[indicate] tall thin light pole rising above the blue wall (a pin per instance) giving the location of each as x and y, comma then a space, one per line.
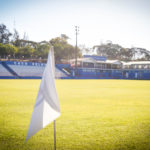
76, 49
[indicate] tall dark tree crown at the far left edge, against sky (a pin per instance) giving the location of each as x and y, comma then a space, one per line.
4, 34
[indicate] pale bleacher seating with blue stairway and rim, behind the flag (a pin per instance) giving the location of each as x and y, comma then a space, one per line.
25, 70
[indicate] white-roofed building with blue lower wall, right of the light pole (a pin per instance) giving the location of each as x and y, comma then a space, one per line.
98, 67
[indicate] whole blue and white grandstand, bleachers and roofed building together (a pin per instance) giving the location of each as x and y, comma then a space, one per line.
88, 67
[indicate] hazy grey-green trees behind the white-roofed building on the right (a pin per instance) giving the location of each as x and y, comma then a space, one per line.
115, 51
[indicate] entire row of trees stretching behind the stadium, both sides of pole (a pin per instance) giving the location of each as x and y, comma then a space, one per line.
13, 46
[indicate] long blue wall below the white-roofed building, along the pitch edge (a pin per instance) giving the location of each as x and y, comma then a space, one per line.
112, 74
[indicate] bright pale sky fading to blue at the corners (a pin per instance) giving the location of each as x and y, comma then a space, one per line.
124, 22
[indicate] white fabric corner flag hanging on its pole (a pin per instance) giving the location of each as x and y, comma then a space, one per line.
46, 108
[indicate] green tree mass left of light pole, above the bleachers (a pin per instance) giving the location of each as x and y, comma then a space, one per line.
21, 48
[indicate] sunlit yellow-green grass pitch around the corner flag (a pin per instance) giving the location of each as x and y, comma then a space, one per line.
95, 115
